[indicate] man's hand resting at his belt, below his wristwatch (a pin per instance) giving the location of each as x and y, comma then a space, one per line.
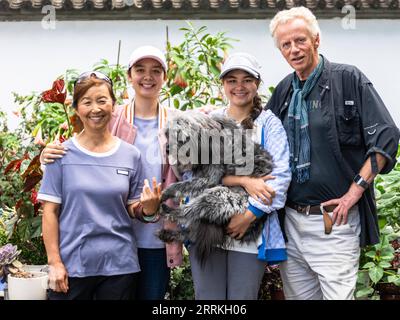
349, 199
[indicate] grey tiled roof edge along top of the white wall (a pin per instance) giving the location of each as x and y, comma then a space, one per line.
191, 9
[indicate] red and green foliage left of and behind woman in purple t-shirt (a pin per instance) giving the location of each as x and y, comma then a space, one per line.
44, 117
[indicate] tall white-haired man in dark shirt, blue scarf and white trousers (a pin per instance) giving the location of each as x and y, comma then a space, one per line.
340, 137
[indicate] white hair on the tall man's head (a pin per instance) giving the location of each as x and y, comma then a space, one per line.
285, 16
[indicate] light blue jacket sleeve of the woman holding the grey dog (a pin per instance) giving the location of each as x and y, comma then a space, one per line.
276, 143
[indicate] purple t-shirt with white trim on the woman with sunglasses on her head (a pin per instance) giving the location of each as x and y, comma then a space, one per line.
95, 229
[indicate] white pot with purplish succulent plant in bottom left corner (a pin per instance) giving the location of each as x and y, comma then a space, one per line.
21, 284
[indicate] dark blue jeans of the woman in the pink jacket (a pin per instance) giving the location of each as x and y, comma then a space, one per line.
154, 275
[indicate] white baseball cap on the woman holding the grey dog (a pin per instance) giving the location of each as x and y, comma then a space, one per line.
242, 61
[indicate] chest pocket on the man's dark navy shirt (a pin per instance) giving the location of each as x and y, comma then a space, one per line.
348, 123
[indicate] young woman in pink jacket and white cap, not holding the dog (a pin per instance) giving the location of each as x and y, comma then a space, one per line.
139, 123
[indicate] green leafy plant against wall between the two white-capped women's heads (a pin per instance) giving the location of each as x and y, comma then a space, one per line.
194, 67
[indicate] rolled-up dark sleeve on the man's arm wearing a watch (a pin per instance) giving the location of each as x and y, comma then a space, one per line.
380, 133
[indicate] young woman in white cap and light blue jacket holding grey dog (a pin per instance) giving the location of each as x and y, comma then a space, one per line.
236, 272
